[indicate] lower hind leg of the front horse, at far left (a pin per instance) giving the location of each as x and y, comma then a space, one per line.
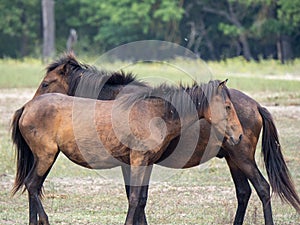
34, 183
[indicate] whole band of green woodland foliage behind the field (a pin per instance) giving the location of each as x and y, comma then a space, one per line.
103, 25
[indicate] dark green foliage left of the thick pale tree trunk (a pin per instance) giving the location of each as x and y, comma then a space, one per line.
19, 22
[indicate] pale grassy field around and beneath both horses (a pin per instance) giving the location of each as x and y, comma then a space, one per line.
204, 195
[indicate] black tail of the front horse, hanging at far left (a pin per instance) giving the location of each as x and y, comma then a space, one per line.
24, 156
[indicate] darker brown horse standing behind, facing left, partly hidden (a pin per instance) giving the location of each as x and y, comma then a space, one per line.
65, 74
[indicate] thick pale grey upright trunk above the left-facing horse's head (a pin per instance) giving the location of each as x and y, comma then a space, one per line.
48, 30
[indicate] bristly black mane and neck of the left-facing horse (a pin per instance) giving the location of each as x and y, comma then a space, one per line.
89, 78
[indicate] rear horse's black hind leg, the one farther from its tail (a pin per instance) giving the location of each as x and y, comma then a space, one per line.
243, 191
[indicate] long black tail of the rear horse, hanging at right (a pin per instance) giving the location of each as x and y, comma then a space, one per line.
277, 170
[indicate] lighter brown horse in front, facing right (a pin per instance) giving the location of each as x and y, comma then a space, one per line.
96, 134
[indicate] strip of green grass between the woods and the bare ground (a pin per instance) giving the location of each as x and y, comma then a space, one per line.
247, 76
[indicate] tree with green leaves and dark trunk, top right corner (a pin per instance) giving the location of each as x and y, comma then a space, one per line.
277, 23
